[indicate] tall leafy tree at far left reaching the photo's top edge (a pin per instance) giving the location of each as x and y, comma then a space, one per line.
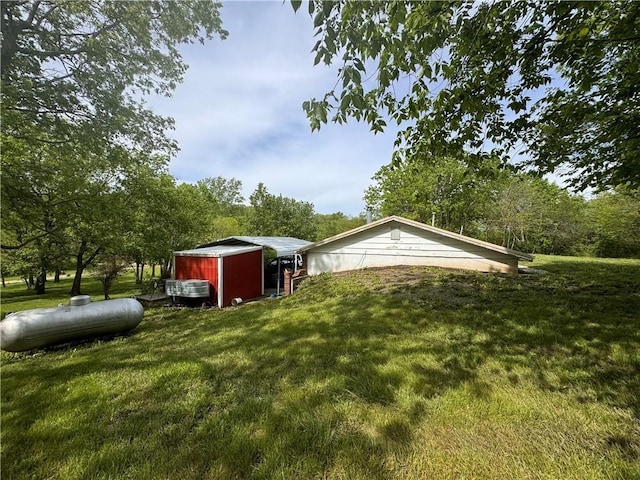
74, 123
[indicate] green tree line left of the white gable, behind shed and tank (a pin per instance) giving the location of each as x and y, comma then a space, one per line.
76, 221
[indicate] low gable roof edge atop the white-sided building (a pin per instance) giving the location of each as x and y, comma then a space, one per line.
423, 227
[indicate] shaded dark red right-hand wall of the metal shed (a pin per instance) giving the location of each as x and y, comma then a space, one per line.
242, 276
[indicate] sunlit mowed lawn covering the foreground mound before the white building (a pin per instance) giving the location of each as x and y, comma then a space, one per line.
405, 373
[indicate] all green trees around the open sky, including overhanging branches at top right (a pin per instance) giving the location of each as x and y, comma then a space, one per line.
478, 90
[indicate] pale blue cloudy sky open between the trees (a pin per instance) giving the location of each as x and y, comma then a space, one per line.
238, 114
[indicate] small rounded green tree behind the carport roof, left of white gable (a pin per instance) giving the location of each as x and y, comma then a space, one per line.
280, 216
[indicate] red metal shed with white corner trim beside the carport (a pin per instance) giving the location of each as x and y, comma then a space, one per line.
231, 271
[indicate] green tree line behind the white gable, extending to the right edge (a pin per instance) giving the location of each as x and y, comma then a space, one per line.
517, 210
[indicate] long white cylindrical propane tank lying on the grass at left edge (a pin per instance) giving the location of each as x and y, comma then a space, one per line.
29, 329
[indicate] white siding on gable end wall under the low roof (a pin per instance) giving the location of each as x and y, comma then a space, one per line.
375, 248
